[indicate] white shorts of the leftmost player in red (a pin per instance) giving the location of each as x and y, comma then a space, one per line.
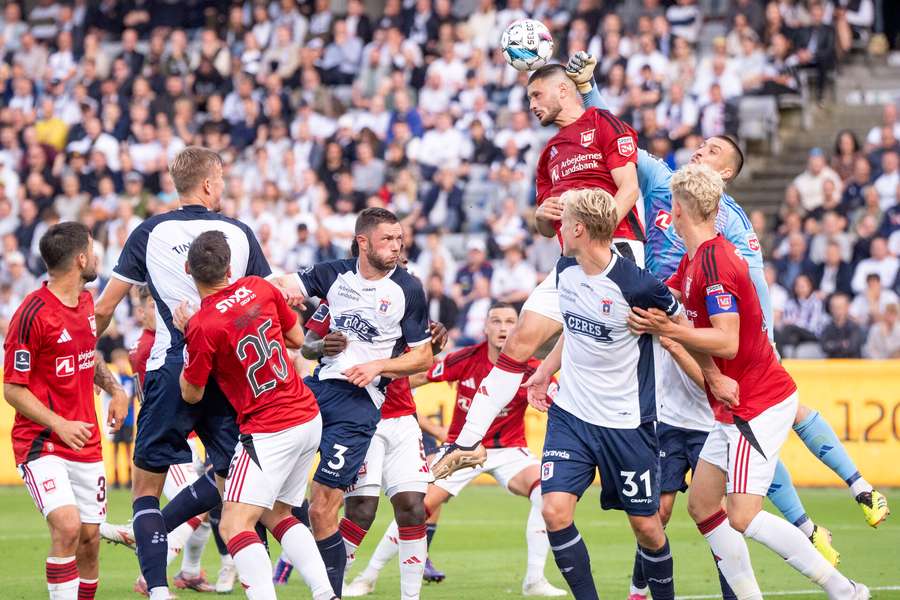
53, 482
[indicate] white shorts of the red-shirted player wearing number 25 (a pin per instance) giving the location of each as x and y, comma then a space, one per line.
270, 467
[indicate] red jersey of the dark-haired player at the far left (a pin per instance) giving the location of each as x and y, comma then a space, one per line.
49, 348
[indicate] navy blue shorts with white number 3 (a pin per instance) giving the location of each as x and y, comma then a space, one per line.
349, 419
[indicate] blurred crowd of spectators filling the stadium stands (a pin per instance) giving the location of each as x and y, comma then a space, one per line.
319, 113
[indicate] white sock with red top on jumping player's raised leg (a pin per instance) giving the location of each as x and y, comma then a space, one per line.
495, 392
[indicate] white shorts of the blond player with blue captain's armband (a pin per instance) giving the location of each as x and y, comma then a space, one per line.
747, 470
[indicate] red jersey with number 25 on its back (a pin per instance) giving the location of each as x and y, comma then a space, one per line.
237, 336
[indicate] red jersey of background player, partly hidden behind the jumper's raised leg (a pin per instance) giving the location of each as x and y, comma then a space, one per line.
468, 367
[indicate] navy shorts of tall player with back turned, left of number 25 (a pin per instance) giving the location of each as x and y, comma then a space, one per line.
165, 420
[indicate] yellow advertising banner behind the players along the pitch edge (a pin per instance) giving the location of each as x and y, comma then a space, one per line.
860, 399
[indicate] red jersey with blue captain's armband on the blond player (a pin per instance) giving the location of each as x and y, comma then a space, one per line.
717, 281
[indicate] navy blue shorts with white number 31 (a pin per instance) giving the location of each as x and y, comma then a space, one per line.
628, 460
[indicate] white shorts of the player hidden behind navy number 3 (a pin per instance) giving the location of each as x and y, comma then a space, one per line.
395, 460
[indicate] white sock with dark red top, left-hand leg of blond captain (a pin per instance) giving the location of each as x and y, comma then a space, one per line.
732, 557
